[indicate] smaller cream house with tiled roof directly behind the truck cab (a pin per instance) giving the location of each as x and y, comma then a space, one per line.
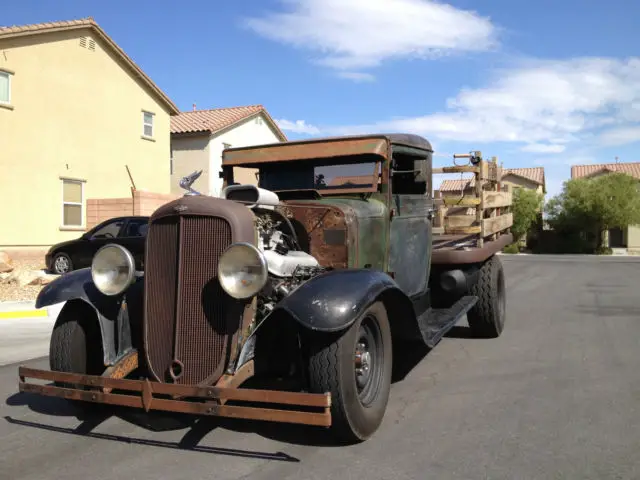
198, 138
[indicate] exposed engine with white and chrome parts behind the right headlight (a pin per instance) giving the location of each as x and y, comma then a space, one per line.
289, 266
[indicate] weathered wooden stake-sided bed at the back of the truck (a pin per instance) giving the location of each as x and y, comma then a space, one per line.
472, 225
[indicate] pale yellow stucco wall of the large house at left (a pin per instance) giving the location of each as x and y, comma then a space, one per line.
74, 113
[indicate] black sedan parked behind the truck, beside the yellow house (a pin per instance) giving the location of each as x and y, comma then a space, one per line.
130, 232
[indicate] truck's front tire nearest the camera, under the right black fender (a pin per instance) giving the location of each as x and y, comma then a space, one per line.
356, 415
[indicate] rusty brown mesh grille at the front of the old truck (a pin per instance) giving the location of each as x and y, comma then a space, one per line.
188, 324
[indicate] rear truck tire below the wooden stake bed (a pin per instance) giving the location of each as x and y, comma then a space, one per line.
487, 317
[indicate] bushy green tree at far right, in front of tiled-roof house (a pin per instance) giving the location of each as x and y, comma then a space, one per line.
596, 205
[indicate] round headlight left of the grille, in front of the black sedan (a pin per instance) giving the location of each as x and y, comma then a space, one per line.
113, 269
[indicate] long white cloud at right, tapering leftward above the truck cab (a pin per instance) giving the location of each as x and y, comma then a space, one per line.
543, 105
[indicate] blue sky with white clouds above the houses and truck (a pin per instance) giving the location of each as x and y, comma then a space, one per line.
545, 83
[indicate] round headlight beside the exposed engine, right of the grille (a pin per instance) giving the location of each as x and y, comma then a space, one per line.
242, 270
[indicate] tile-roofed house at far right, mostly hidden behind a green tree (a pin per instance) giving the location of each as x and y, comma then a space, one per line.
627, 238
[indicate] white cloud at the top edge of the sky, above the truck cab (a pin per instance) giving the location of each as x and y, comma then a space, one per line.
351, 35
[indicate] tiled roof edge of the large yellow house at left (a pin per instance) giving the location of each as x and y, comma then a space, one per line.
89, 22
